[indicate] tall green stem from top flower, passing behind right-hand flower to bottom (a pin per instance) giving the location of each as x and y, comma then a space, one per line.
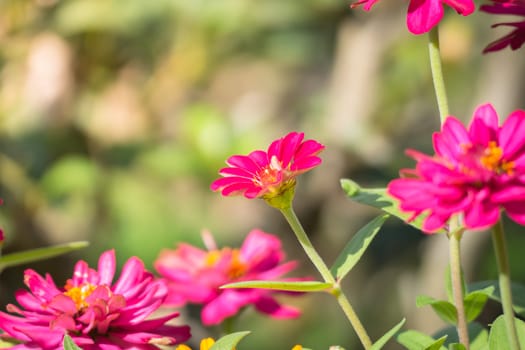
454, 234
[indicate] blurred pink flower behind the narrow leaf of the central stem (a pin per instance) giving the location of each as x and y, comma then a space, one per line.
195, 275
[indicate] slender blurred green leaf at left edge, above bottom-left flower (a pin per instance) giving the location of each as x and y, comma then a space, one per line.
28, 256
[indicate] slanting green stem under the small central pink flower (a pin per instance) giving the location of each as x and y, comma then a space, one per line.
318, 262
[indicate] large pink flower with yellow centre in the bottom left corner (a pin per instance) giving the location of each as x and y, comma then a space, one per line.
94, 312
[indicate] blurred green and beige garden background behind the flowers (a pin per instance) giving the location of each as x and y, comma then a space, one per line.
115, 116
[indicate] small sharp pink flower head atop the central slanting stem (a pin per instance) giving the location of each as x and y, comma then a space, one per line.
269, 173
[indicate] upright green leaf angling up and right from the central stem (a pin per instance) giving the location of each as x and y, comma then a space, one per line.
353, 251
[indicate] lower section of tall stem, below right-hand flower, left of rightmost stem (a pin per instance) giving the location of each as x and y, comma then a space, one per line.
457, 286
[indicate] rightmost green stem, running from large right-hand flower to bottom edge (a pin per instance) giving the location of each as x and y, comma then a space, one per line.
500, 249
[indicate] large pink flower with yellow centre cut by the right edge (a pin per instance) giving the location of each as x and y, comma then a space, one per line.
475, 172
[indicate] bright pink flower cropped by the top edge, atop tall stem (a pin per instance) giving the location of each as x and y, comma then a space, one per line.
423, 15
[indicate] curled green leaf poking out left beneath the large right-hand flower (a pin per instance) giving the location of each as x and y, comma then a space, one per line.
378, 198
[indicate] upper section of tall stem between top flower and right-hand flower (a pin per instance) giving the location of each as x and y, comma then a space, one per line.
437, 73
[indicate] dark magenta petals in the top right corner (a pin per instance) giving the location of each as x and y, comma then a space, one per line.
515, 38
